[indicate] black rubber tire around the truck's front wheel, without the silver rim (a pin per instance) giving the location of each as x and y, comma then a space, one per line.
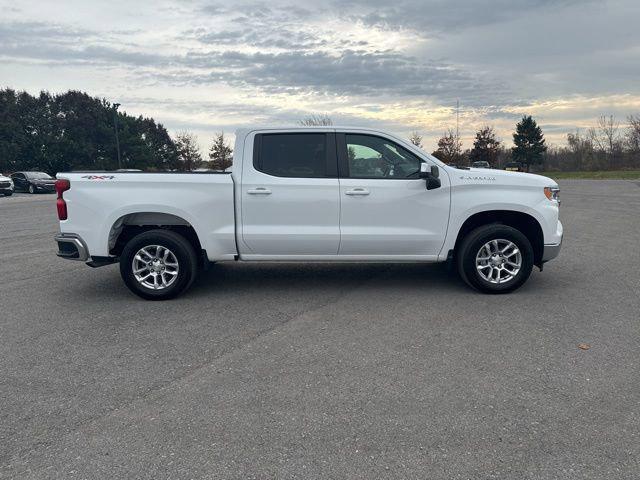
472, 244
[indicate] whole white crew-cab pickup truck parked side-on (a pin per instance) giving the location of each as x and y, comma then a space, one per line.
309, 195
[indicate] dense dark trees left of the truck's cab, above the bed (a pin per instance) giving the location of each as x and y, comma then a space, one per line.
74, 131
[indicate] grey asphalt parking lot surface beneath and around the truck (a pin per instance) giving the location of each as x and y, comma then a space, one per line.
325, 371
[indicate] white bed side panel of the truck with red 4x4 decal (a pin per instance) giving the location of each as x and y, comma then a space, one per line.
99, 204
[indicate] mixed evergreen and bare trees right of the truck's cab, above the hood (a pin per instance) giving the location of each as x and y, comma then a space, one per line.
606, 146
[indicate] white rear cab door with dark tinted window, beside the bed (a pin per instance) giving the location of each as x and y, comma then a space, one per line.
290, 195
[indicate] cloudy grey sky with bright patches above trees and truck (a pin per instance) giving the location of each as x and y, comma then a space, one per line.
206, 66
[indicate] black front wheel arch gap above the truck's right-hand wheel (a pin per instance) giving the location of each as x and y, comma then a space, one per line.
525, 223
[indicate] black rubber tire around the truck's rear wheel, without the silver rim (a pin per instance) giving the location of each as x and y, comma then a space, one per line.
180, 247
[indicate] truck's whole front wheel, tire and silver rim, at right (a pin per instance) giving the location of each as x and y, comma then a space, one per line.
482, 265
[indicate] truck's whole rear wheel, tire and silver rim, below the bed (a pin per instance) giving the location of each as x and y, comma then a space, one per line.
152, 246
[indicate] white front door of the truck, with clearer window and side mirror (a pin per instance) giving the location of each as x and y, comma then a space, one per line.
386, 210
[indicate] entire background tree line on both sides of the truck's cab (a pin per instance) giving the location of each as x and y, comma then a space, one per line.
74, 131
